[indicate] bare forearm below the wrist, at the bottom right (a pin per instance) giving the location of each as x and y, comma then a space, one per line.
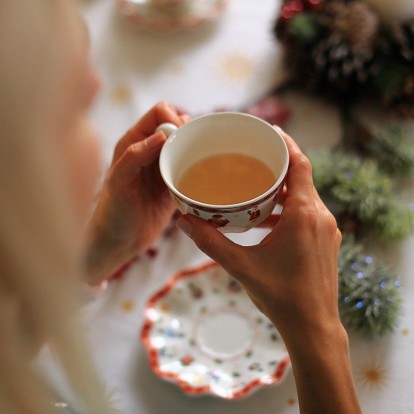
322, 372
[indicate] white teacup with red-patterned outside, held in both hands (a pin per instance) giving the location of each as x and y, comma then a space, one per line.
221, 133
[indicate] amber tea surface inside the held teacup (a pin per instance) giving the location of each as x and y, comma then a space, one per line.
226, 179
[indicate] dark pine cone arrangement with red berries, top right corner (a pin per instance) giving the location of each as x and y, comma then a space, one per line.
344, 50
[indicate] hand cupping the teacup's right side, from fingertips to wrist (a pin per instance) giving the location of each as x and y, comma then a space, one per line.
292, 275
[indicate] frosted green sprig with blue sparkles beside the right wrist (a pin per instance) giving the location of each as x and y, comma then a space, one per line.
369, 297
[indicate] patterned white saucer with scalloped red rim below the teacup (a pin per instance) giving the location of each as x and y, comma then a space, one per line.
203, 333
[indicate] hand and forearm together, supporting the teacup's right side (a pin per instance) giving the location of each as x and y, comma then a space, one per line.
292, 277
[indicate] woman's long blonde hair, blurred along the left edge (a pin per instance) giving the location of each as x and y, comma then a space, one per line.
40, 251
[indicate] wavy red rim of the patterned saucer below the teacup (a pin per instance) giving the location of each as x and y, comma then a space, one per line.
276, 377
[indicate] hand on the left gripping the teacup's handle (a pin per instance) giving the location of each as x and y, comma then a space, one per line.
134, 207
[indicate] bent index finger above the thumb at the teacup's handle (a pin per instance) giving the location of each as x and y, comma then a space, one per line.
160, 113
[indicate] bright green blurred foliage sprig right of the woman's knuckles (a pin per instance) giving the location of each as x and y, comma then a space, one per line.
356, 190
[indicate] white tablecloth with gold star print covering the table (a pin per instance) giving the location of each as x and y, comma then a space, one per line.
229, 63
